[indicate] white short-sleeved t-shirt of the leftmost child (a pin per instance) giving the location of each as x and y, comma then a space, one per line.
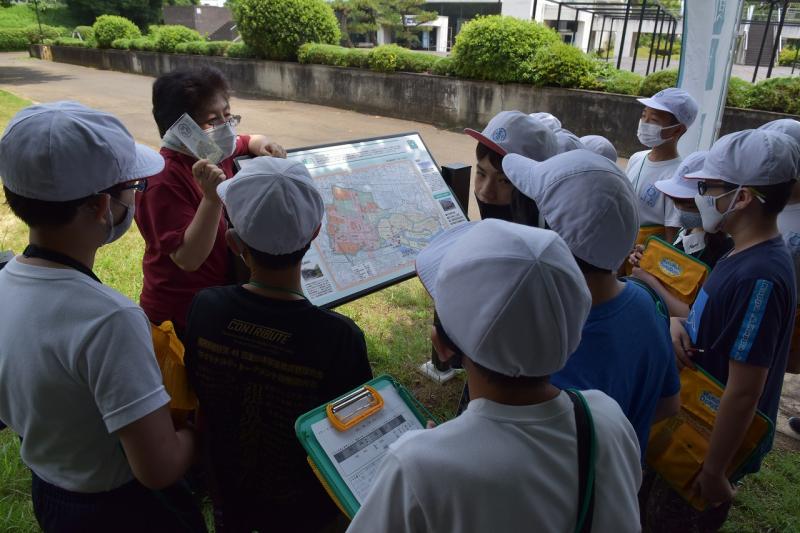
76, 365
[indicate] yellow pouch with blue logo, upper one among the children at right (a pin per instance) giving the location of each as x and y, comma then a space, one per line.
680, 273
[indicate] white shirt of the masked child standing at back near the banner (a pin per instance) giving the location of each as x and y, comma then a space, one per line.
655, 208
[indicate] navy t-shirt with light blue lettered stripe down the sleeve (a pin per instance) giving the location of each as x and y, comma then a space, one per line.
745, 312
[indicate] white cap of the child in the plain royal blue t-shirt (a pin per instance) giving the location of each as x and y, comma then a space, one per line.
586, 199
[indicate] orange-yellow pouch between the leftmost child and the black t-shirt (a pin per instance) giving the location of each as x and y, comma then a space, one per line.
169, 354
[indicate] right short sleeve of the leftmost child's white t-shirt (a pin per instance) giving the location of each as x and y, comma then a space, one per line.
120, 368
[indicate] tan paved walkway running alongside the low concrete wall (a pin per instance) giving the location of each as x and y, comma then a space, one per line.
290, 123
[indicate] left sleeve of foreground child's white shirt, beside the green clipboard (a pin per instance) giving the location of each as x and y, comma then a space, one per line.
391, 504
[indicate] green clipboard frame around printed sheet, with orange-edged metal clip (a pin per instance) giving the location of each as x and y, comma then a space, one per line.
321, 461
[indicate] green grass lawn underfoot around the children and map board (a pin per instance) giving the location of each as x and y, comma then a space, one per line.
396, 322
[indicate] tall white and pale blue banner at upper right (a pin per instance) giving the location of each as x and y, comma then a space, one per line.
707, 47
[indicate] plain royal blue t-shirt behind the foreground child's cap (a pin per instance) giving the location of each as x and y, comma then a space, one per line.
626, 352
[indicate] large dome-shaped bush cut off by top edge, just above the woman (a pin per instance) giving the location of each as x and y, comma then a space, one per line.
275, 29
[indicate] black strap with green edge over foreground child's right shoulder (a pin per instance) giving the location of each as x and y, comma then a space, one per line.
586, 461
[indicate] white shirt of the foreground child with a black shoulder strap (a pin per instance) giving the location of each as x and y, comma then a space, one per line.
501, 468
